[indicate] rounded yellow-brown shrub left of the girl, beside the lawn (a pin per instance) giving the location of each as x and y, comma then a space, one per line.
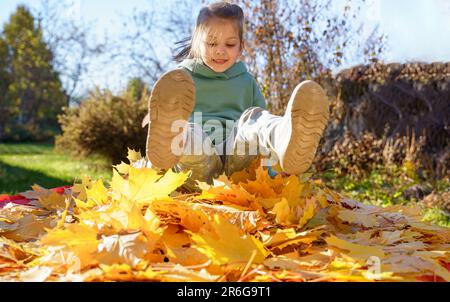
104, 124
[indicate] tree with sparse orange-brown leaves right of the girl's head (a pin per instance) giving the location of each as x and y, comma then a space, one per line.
291, 41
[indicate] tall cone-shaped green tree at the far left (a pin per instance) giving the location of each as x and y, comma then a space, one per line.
35, 95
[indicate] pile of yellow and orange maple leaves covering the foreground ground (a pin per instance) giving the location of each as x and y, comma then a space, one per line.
249, 227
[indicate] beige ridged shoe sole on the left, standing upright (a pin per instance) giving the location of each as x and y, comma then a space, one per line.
172, 99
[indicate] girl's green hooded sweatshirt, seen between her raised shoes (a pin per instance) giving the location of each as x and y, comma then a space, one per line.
222, 96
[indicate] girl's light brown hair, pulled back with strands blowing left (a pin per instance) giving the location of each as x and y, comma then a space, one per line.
190, 47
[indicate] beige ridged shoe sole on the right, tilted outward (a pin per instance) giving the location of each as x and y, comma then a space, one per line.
309, 114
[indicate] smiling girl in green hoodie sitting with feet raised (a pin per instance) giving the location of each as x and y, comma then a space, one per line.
228, 124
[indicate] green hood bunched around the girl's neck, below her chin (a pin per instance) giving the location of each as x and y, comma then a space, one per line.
197, 67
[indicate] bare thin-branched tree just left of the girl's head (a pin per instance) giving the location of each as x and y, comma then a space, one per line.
145, 47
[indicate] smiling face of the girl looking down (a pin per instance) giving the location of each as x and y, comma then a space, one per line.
221, 48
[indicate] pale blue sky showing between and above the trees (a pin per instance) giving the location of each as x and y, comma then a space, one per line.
418, 30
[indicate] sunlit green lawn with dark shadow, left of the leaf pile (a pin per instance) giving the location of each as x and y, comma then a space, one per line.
25, 164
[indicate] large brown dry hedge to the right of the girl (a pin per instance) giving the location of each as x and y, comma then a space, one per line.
404, 105
